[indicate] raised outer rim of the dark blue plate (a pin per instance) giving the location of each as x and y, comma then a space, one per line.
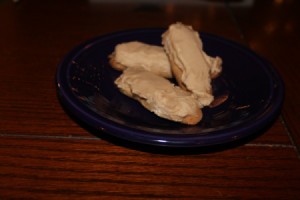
156, 139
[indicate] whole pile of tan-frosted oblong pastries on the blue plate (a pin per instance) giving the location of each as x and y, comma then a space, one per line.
146, 69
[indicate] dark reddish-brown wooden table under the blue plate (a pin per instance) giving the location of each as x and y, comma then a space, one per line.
44, 153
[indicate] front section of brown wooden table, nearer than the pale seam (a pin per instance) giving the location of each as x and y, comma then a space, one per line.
85, 167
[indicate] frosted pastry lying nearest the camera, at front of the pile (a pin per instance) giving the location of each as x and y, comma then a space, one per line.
159, 95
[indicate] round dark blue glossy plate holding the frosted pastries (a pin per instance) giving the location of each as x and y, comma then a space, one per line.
251, 90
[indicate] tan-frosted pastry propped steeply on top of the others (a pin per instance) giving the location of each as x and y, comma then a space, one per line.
190, 64
